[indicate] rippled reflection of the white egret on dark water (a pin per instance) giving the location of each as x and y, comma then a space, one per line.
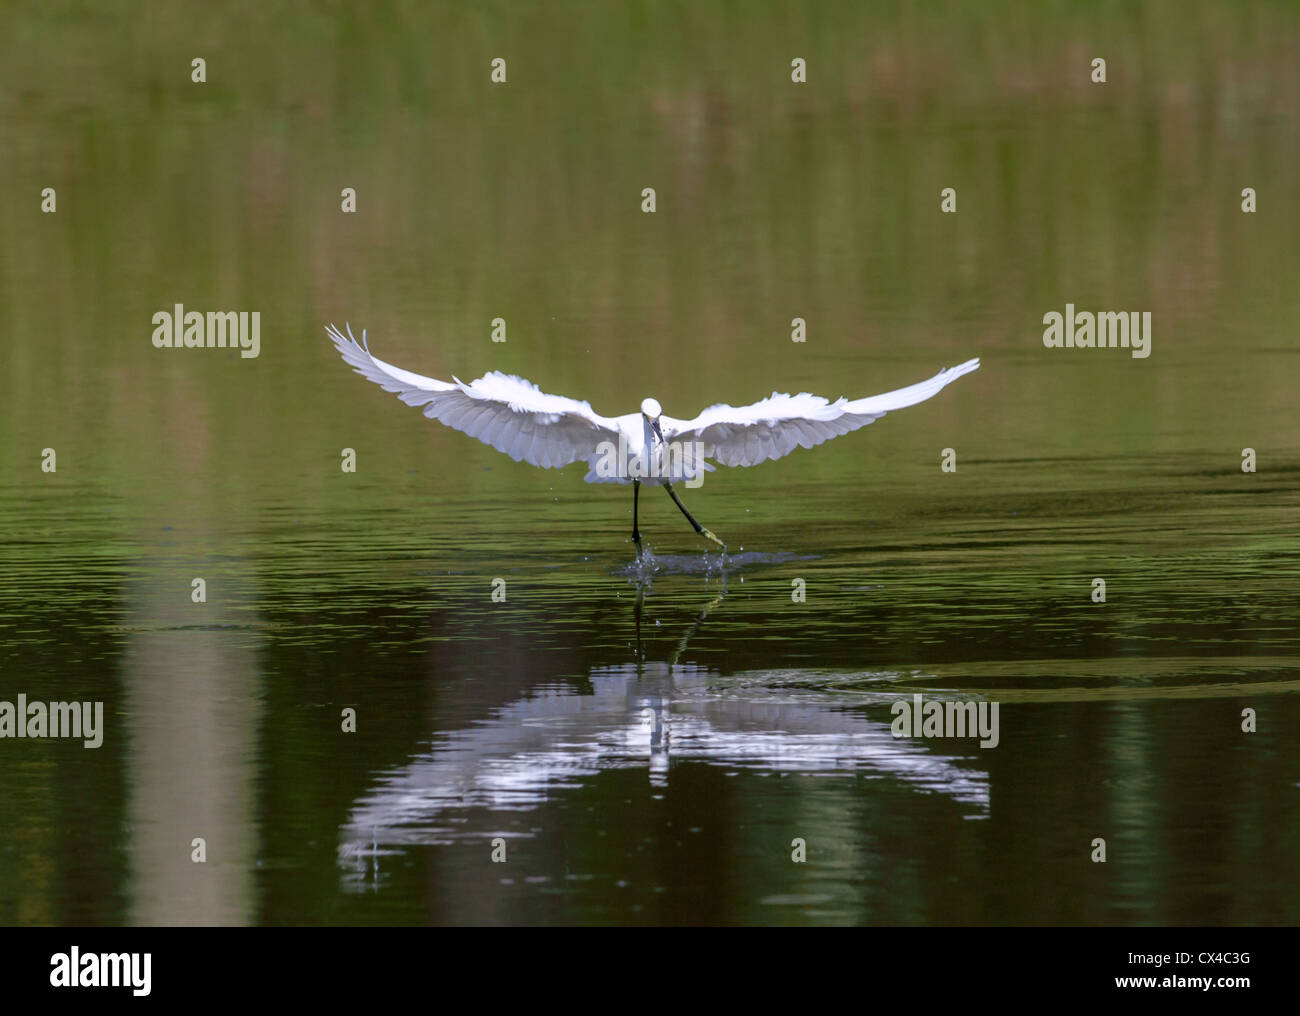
651, 715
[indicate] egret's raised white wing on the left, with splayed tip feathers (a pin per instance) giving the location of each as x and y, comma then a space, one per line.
512, 415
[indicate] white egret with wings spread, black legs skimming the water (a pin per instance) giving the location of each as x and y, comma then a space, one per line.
517, 418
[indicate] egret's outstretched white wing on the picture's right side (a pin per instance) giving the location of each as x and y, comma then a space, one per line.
775, 427
